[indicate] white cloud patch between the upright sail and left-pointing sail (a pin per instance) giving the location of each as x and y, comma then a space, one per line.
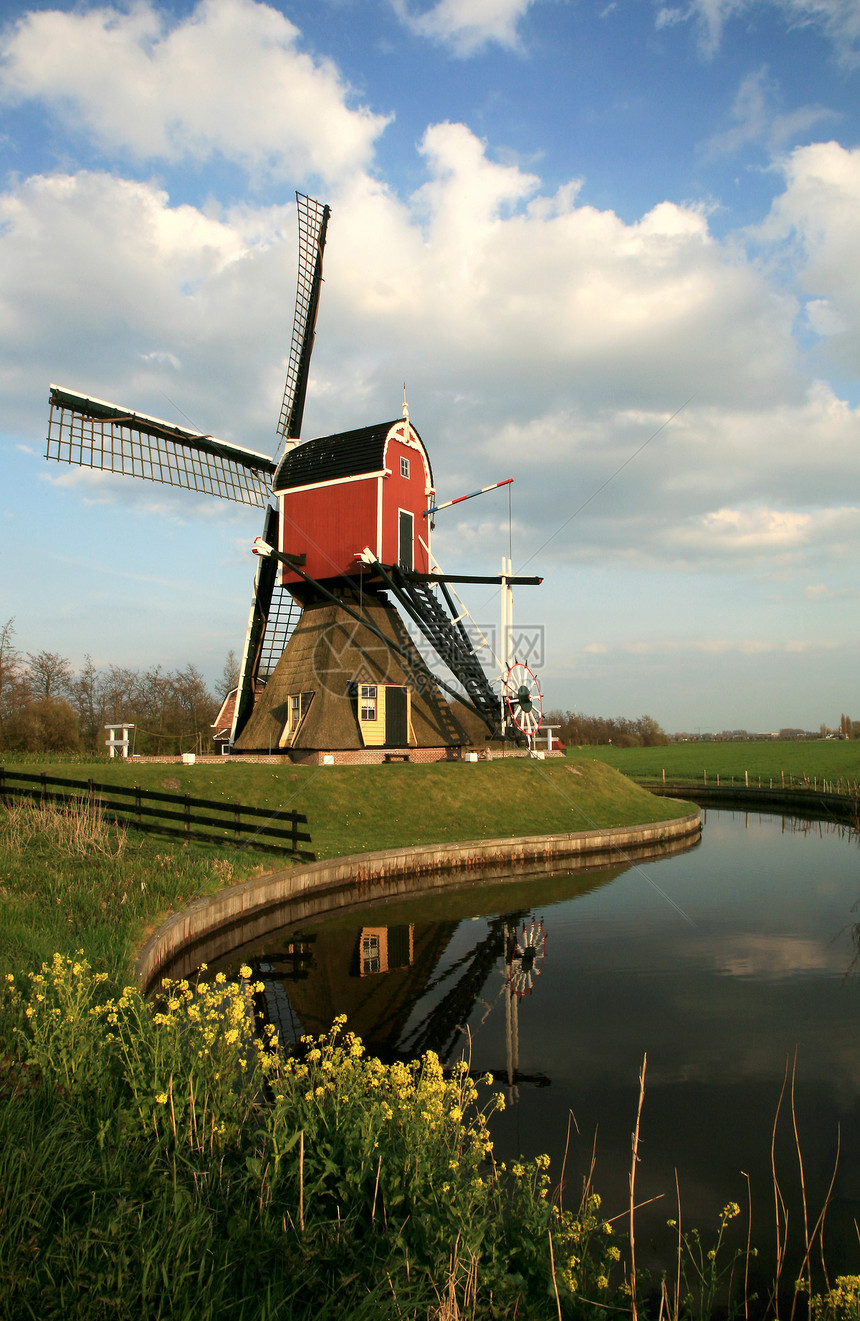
105, 285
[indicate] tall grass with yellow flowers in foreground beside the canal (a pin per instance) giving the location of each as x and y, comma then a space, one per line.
167, 1160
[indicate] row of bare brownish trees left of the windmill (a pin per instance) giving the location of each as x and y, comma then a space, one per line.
46, 706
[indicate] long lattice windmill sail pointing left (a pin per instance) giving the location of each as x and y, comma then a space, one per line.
94, 434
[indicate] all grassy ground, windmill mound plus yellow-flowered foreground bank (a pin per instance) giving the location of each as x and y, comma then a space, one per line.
158, 1162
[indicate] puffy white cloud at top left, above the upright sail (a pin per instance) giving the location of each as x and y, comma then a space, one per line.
228, 83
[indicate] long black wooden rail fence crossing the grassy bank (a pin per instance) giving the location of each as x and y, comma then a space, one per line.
183, 816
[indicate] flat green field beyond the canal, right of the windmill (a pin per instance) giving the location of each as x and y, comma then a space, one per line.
830, 760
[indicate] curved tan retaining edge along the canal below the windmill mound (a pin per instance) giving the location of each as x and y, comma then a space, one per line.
244, 912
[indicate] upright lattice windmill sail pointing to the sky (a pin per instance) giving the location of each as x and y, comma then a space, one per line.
314, 220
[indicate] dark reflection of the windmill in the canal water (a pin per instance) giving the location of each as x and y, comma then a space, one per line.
408, 987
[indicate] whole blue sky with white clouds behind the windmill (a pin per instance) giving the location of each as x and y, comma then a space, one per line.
612, 250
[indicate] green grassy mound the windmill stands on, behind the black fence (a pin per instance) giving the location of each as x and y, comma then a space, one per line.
359, 809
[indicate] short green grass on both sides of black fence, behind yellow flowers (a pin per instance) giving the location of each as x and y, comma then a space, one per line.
60, 895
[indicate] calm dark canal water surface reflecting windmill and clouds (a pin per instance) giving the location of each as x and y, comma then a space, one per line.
738, 953
